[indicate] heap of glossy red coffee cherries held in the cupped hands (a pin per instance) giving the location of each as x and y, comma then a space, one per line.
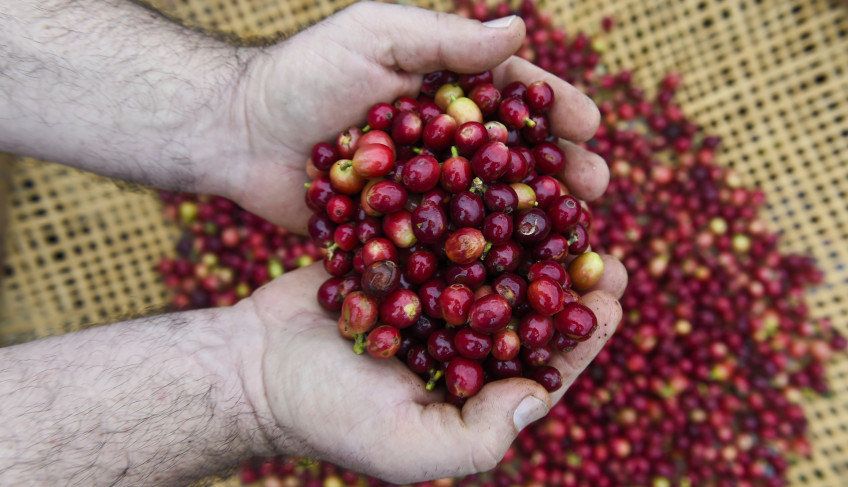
450, 243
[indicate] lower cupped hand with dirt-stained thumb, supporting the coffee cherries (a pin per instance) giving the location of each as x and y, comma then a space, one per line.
319, 400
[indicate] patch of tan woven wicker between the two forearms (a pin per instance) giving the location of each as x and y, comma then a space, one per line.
80, 251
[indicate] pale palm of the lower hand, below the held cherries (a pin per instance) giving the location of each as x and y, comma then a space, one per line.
378, 408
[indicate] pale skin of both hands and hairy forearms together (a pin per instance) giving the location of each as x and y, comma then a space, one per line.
107, 86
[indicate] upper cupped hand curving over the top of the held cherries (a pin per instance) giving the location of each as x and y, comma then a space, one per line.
321, 81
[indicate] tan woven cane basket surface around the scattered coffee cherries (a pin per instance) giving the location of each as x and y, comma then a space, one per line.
767, 76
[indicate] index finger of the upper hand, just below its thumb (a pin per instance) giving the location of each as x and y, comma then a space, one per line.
574, 115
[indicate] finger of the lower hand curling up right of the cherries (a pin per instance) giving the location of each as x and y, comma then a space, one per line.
571, 364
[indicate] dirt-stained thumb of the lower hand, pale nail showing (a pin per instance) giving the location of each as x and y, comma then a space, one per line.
449, 442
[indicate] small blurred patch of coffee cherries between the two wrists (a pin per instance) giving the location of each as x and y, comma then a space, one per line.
225, 252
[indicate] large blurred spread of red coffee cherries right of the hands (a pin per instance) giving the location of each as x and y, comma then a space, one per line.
702, 383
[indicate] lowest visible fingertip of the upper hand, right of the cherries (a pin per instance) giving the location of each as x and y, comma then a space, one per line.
586, 174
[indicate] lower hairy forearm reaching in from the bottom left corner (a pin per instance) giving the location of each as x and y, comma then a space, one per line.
155, 401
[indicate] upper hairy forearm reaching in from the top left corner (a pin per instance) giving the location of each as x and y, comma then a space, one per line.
111, 87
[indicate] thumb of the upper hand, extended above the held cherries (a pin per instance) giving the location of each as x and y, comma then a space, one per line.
418, 40
